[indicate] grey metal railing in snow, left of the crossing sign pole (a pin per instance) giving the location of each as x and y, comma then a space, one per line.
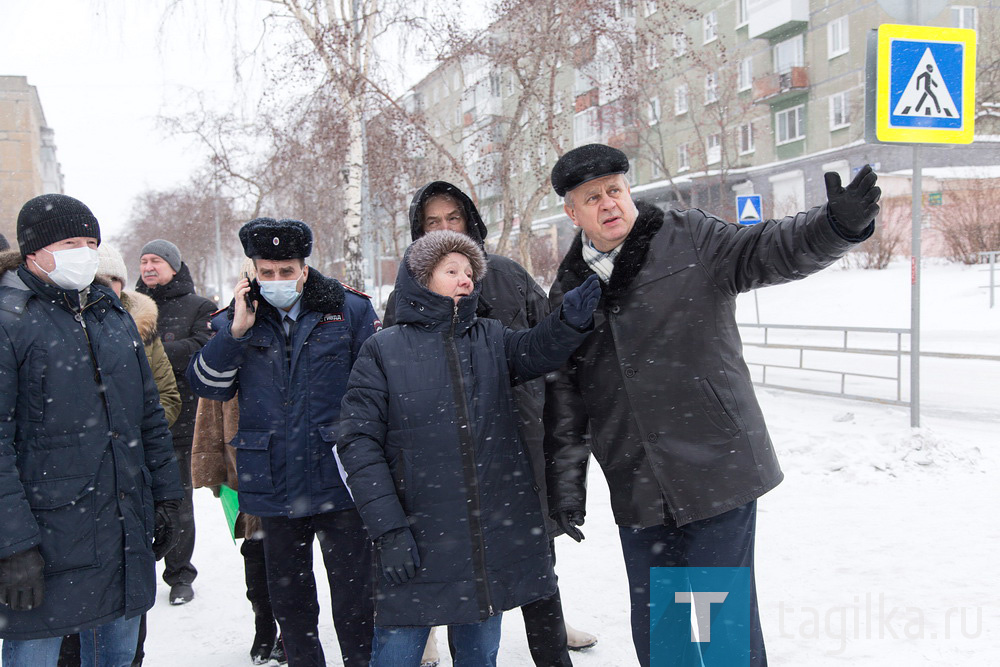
805, 347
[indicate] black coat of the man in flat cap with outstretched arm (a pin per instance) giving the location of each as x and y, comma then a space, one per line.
660, 392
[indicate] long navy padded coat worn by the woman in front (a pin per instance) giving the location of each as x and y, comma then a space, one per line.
429, 437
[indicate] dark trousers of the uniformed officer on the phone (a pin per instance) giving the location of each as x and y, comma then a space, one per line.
347, 554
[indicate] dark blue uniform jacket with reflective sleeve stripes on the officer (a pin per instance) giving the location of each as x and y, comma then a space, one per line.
288, 415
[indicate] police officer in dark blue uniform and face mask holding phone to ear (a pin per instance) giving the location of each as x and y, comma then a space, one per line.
287, 344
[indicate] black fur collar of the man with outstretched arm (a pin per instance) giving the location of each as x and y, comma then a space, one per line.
574, 270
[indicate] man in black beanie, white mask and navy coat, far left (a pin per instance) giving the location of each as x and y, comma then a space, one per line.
82, 428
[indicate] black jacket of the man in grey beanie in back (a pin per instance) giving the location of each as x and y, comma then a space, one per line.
184, 327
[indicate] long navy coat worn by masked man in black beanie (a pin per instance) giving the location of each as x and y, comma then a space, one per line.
80, 467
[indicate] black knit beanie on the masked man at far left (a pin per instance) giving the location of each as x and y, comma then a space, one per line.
47, 219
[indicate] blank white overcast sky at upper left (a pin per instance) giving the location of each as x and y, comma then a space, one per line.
106, 69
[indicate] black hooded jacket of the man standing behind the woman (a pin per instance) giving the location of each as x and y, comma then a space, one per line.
511, 295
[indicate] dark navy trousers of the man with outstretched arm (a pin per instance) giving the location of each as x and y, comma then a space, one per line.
721, 541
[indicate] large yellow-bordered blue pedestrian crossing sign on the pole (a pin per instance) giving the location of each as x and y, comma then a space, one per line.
926, 79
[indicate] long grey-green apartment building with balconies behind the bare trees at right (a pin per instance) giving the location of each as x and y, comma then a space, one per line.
709, 100
